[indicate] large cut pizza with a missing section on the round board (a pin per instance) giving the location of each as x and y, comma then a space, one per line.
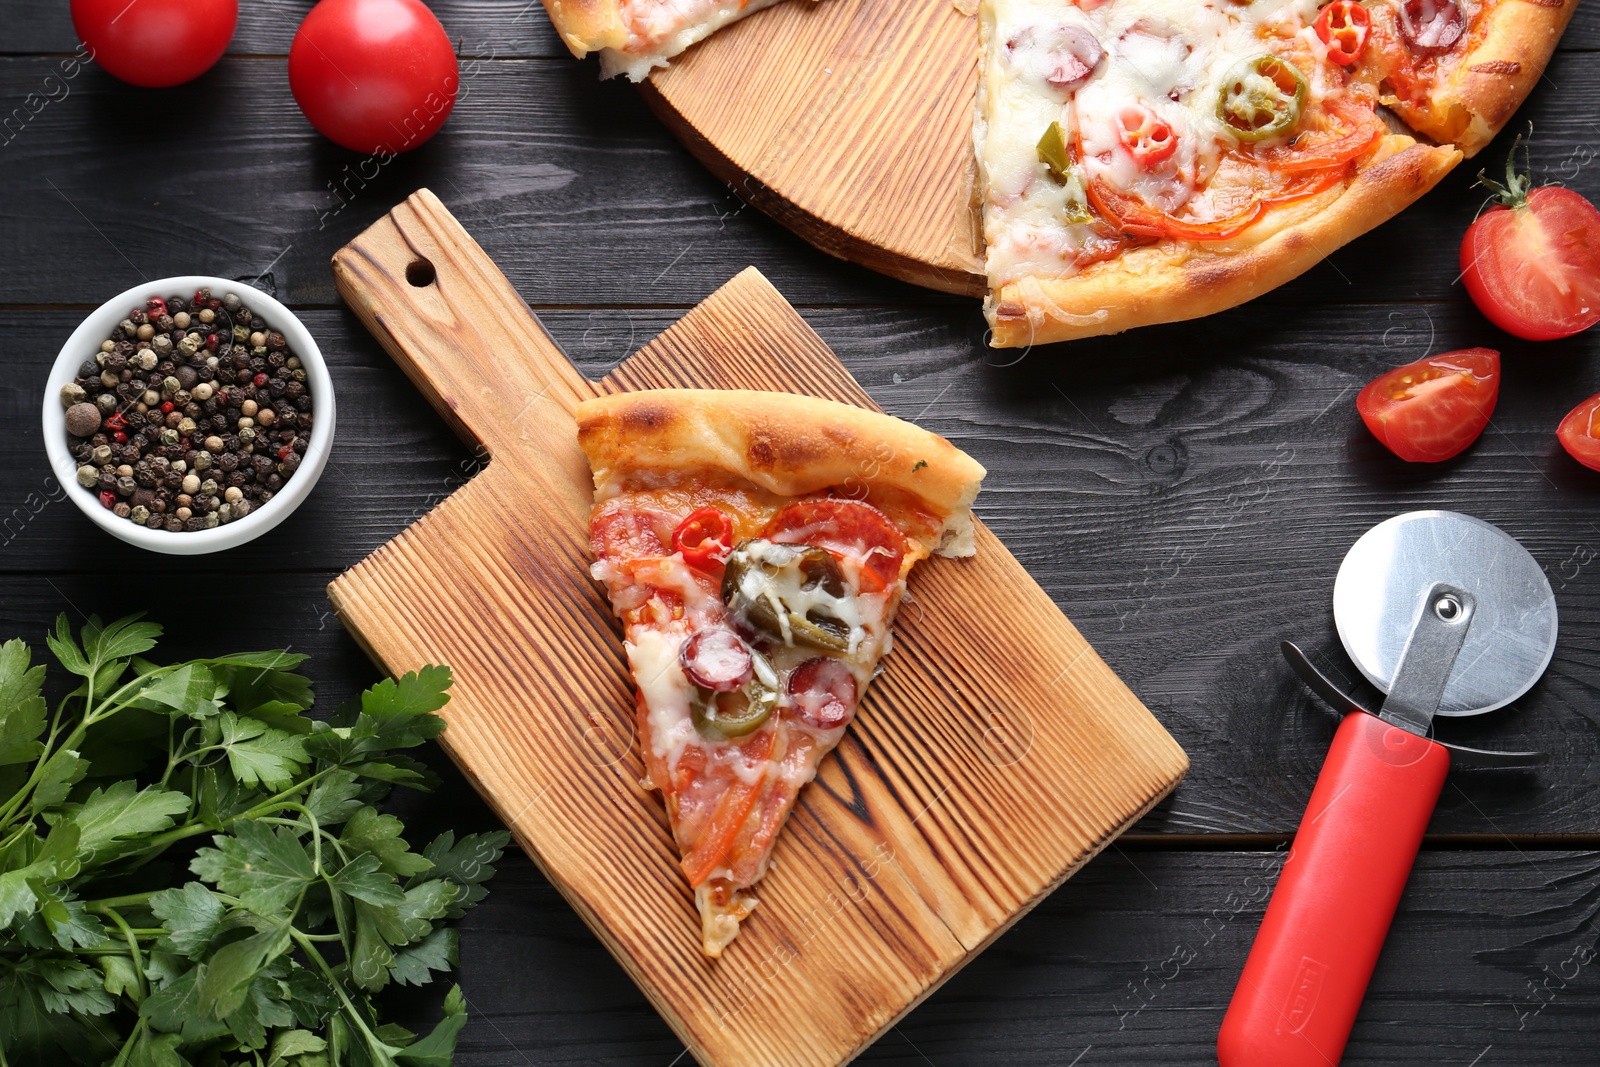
1154, 161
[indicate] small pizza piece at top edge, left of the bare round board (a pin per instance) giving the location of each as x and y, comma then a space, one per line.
634, 38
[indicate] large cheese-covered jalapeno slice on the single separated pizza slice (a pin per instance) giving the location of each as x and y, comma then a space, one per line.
764, 578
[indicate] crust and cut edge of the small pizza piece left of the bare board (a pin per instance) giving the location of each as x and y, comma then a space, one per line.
602, 26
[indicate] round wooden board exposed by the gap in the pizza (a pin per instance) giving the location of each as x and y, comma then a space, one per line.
849, 122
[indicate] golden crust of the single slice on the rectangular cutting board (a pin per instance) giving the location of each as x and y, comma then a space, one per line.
786, 444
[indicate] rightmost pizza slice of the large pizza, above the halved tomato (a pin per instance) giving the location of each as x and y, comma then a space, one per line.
1457, 70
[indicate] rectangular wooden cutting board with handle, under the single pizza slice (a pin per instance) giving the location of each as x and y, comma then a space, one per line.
994, 757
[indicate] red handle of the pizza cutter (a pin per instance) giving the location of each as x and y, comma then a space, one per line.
1332, 908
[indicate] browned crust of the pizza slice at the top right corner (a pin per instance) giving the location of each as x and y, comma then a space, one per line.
1487, 84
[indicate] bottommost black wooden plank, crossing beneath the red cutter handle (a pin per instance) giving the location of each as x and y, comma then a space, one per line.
1129, 964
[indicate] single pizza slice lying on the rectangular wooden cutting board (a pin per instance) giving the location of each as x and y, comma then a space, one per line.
756, 548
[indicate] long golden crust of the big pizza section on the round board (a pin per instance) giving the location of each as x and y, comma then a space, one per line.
1175, 281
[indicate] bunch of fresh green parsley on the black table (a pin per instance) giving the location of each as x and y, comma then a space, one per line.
305, 898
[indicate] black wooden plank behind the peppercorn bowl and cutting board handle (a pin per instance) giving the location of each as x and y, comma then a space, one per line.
572, 185
